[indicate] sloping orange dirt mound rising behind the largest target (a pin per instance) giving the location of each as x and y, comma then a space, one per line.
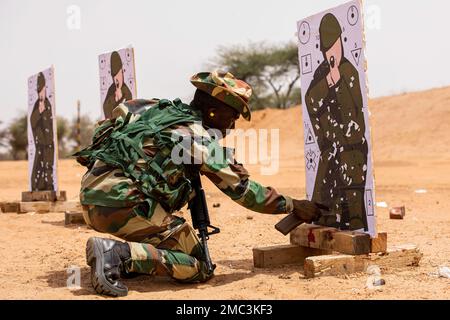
403, 127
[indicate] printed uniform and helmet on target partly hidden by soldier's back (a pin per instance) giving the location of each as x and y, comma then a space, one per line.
110, 101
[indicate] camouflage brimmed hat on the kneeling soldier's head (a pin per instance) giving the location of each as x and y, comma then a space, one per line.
225, 87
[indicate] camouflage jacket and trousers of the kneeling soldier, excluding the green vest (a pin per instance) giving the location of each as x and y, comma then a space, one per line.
162, 243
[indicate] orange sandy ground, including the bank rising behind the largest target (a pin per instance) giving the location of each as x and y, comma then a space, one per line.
411, 152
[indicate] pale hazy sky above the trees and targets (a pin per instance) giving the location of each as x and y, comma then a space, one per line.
408, 45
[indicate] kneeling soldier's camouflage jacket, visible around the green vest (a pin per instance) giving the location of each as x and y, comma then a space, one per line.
106, 186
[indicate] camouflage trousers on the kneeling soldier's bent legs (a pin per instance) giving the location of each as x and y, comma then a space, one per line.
161, 244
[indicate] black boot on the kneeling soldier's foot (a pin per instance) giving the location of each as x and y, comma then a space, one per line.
107, 258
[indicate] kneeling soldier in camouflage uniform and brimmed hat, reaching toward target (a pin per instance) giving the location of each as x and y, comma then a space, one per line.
135, 184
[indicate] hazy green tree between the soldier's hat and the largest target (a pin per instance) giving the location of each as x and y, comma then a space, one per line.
272, 71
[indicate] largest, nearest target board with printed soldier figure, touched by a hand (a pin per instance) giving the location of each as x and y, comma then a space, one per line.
337, 135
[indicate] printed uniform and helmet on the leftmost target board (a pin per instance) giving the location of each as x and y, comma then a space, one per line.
42, 128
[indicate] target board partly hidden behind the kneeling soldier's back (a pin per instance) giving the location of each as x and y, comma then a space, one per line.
117, 79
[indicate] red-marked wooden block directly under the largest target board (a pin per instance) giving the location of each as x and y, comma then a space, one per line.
324, 238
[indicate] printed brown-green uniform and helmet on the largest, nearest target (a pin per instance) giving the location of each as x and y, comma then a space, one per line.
337, 117
